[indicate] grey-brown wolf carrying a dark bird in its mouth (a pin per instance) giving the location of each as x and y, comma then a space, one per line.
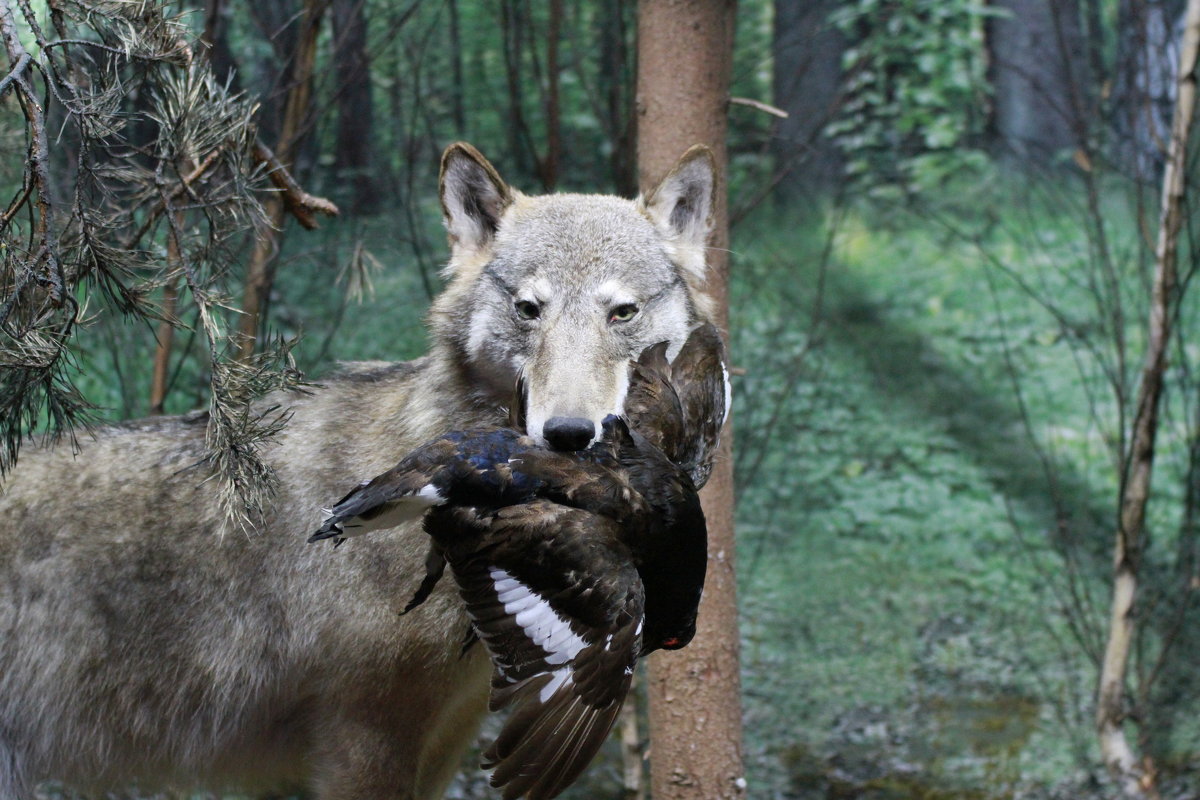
137, 645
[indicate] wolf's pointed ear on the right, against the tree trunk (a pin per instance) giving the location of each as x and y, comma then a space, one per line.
682, 204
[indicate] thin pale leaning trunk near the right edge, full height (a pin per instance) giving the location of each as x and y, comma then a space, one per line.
1137, 778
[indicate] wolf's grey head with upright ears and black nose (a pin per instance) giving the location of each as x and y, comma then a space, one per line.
566, 290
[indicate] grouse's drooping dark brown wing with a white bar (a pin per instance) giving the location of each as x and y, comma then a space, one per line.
556, 599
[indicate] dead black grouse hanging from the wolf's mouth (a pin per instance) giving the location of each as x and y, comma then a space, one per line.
573, 566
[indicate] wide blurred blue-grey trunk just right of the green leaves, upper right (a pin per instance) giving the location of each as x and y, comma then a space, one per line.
1037, 73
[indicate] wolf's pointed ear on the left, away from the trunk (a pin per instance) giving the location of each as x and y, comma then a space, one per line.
473, 197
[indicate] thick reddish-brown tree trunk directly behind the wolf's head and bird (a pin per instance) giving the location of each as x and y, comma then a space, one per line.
686, 51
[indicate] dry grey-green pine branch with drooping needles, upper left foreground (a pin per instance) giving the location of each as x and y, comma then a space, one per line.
189, 194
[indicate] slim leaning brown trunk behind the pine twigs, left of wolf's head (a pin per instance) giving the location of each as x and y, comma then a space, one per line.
293, 127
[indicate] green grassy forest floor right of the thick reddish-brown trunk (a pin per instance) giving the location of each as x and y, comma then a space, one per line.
903, 522
